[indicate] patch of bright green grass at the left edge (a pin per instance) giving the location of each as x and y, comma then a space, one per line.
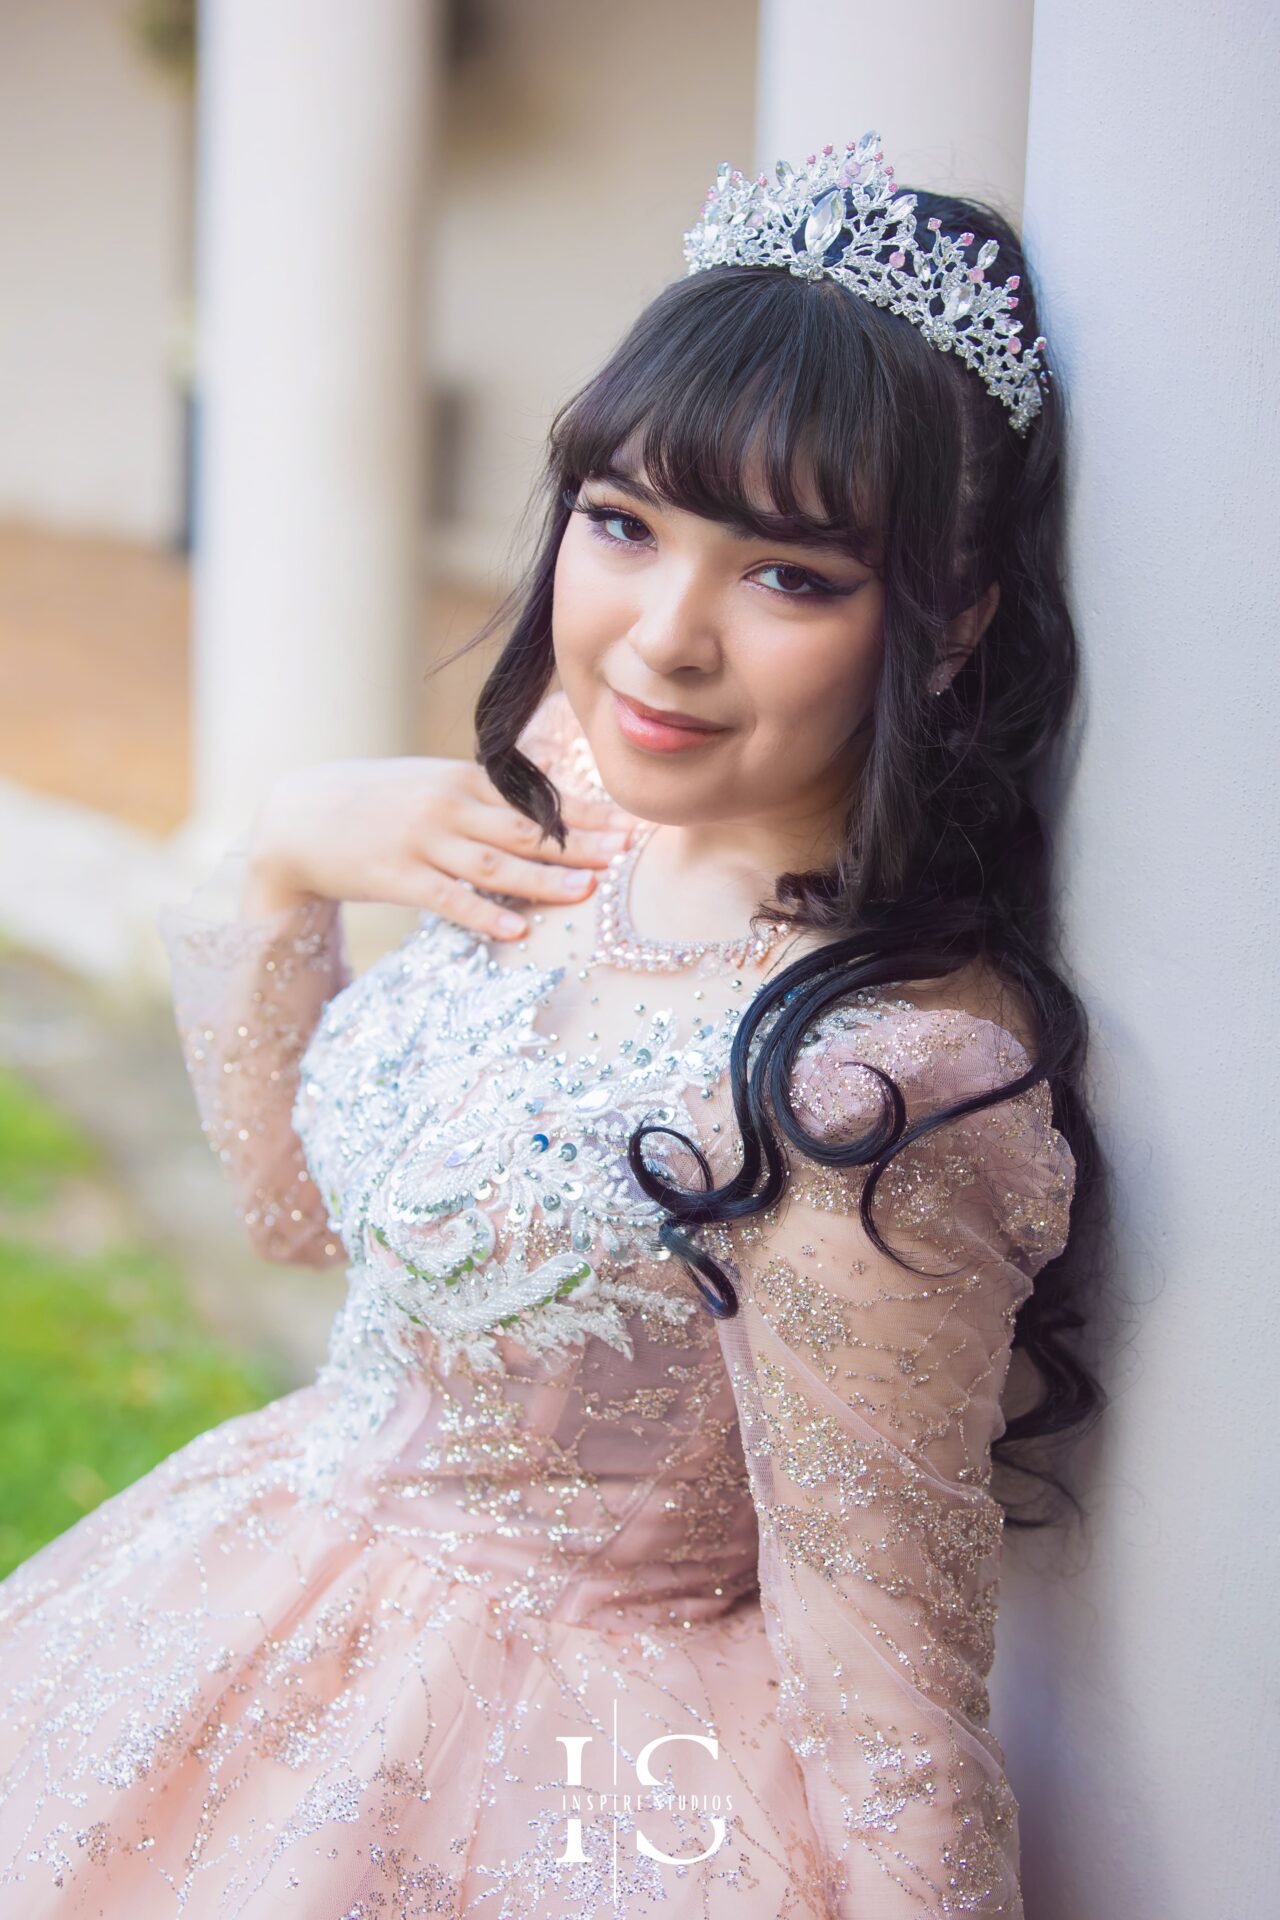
105, 1366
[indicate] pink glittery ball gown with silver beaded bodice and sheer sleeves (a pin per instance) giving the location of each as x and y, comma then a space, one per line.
552, 1596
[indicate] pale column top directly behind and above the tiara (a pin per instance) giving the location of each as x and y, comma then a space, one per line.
943, 85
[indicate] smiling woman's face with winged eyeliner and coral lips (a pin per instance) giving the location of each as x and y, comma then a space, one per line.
774, 644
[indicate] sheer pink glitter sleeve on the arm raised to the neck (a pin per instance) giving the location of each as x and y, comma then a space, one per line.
249, 996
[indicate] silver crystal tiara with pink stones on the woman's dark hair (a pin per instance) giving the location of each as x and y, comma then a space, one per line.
838, 220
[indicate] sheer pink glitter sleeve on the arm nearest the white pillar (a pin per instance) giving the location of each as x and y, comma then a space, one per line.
868, 1401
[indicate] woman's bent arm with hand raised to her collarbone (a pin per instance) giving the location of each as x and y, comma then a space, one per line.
250, 980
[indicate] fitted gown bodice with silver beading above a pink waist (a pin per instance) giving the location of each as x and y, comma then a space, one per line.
567, 1393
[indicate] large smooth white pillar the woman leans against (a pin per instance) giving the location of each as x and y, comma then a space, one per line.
1149, 1742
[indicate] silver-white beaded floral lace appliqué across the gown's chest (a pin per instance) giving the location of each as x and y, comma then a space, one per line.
479, 1178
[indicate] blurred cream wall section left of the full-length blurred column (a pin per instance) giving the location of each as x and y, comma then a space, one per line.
91, 260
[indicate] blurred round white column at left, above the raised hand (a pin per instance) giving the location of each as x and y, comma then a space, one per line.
310, 502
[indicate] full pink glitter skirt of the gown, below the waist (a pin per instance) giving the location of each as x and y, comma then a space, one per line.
229, 1700
